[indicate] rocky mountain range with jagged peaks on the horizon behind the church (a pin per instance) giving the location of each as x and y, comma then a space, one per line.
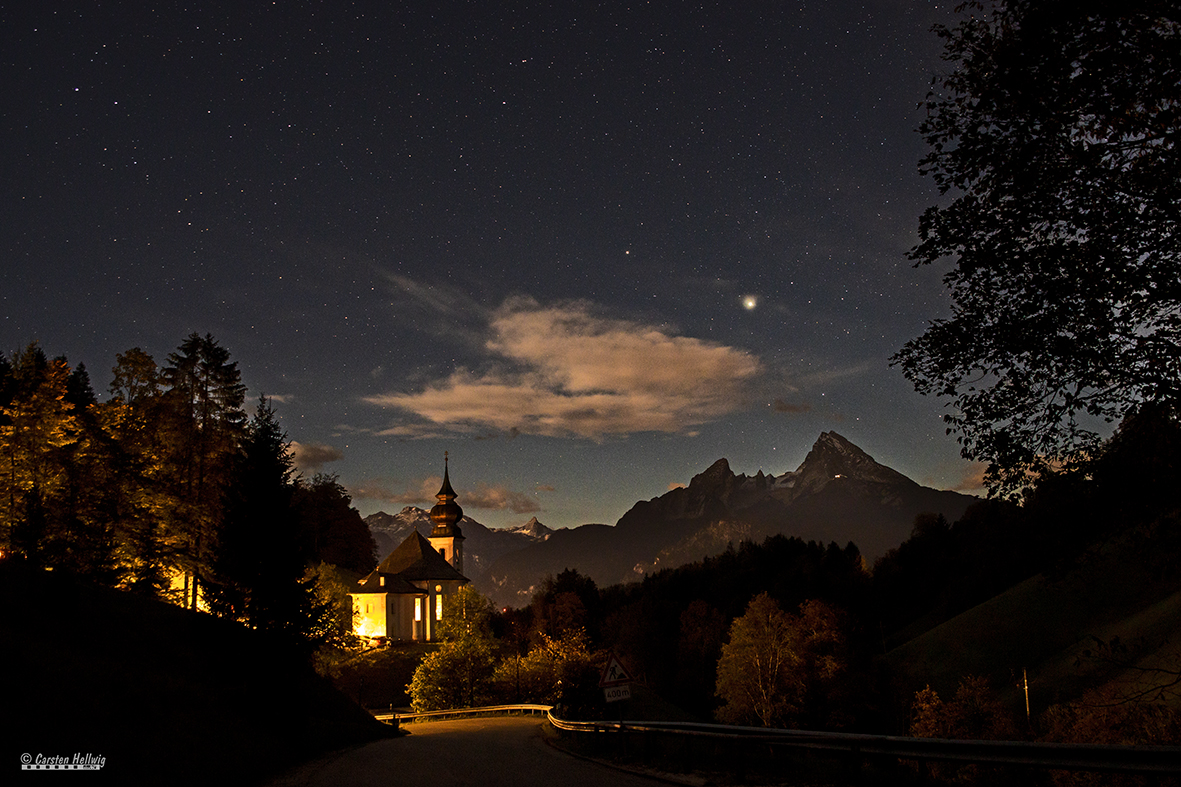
838, 495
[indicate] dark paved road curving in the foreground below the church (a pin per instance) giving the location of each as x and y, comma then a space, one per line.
506, 751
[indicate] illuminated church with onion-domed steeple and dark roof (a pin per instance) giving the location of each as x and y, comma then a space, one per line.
406, 597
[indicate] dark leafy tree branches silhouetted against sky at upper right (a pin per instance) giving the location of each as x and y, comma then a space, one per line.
1054, 138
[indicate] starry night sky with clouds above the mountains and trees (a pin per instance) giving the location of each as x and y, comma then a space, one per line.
588, 249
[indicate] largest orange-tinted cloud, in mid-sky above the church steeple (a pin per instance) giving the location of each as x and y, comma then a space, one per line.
570, 373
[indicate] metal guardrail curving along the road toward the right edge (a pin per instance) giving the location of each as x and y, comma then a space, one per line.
1056, 757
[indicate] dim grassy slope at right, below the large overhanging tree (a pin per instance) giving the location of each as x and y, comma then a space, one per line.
1042, 626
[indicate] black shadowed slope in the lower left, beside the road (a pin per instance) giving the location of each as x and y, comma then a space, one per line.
166, 695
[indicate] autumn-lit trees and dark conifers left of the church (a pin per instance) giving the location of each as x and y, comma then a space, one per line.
169, 490
